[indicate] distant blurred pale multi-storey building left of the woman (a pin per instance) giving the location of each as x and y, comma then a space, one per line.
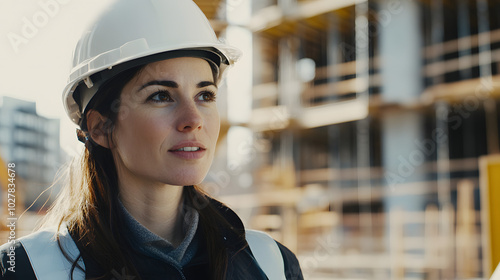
31, 142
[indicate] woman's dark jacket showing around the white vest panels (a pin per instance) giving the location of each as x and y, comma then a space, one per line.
242, 264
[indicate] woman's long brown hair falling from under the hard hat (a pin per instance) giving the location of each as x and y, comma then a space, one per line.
88, 205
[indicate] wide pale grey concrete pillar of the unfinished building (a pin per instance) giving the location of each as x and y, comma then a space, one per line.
402, 130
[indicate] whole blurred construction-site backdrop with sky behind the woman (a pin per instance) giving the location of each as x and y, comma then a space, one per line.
362, 134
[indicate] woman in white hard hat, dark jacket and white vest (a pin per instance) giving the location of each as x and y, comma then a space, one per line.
143, 89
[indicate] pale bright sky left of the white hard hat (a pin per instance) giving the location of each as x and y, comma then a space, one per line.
37, 38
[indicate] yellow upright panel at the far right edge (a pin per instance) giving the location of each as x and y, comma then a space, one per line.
489, 168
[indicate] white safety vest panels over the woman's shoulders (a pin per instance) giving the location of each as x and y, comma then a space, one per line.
41, 244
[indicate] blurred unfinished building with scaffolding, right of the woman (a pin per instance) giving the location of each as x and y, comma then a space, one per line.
374, 116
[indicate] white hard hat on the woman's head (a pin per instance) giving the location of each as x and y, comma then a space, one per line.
135, 32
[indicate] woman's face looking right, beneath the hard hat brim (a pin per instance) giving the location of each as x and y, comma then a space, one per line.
167, 124
